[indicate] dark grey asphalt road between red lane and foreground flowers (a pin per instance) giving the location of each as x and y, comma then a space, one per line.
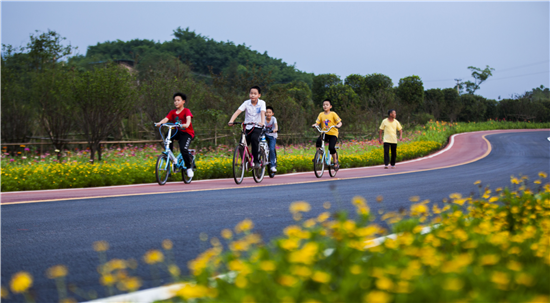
39, 235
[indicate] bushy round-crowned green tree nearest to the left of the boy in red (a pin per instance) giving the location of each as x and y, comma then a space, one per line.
103, 96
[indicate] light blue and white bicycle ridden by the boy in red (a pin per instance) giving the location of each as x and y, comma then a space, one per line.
167, 161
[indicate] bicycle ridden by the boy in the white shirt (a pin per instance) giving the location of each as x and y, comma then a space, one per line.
244, 161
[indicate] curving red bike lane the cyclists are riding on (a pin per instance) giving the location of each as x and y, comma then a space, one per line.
462, 149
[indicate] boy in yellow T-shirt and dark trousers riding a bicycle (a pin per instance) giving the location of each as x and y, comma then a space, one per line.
328, 119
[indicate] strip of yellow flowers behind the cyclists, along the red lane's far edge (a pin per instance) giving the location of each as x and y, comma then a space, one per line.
29, 170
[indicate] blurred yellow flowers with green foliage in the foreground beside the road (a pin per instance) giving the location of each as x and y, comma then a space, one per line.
493, 248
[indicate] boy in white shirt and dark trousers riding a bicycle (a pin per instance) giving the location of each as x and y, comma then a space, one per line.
254, 109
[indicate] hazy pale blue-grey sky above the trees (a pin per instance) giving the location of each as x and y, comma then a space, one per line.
434, 40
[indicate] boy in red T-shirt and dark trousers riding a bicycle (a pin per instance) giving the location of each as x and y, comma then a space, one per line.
185, 134
